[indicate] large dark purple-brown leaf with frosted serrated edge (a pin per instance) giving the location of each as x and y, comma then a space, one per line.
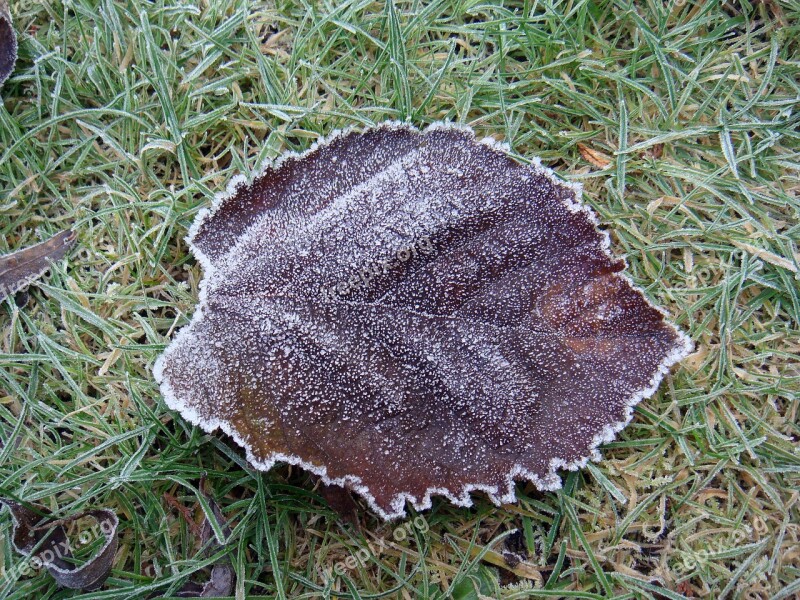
413, 313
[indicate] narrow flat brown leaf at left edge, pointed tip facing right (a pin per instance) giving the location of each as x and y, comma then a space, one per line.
22, 267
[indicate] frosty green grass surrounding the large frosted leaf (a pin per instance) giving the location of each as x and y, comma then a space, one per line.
123, 118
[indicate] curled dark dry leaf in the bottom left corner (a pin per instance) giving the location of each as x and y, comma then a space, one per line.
44, 539
